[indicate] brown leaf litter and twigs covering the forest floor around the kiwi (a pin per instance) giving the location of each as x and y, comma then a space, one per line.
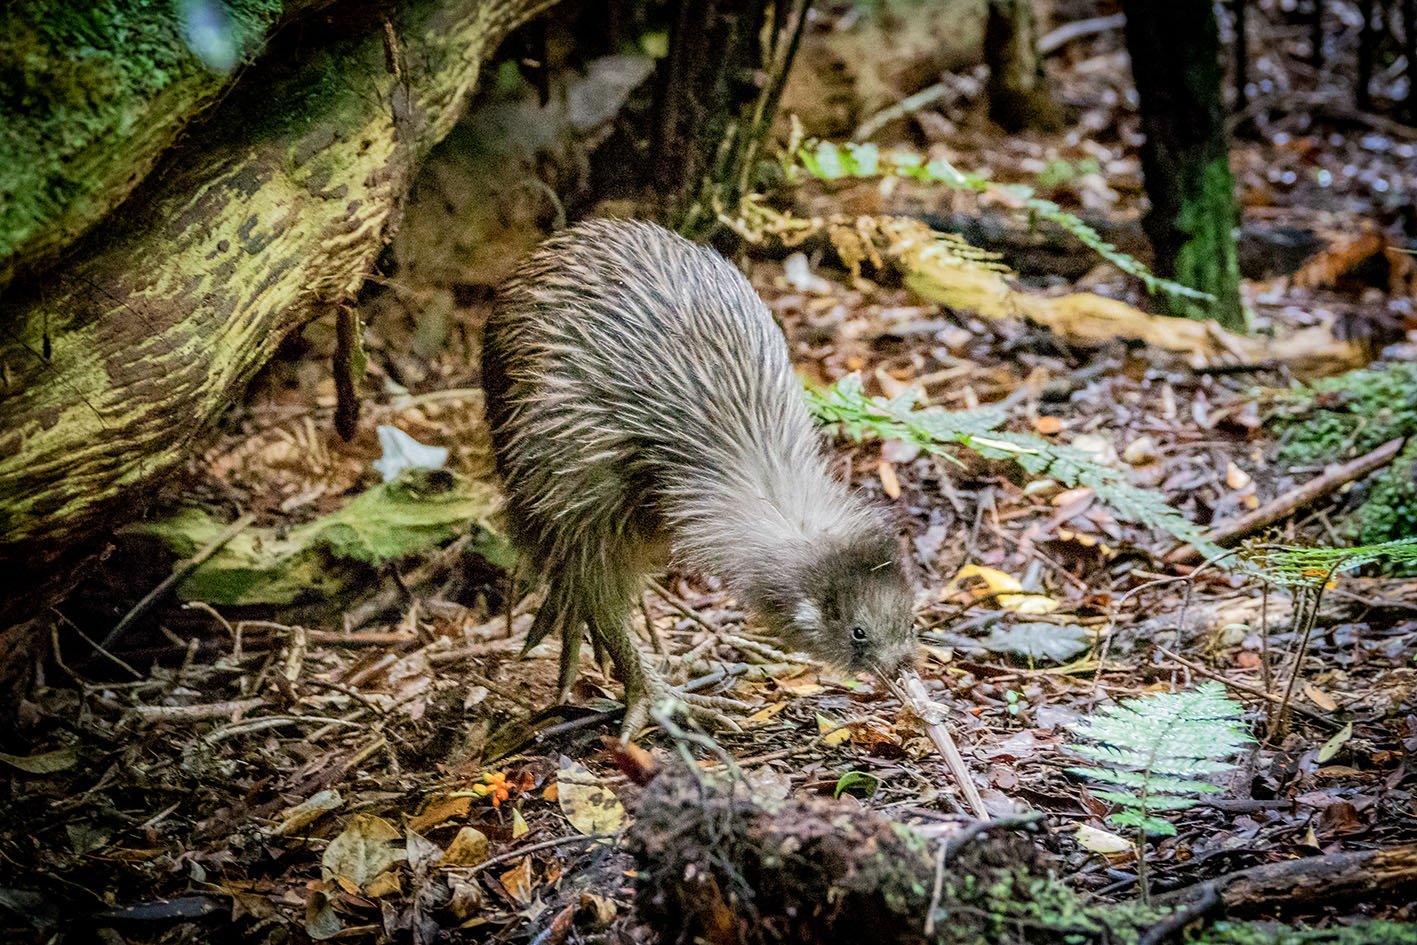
368, 774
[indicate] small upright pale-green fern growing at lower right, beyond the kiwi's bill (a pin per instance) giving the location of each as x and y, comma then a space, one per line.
1156, 753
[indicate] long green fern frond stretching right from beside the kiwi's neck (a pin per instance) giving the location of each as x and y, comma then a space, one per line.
847, 407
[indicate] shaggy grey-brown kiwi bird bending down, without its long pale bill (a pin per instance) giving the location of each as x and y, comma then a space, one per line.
644, 412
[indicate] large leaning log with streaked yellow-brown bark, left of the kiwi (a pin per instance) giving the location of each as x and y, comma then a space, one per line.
270, 213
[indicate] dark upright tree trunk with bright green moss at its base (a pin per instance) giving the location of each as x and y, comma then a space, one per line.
1175, 52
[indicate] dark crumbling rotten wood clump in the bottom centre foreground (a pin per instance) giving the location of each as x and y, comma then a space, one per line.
721, 868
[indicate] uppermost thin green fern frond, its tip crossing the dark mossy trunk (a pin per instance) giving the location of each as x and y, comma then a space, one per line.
830, 161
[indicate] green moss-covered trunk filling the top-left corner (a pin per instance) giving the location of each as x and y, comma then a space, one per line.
84, 130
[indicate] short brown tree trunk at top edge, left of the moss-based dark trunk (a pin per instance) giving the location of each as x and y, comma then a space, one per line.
1020, 94
